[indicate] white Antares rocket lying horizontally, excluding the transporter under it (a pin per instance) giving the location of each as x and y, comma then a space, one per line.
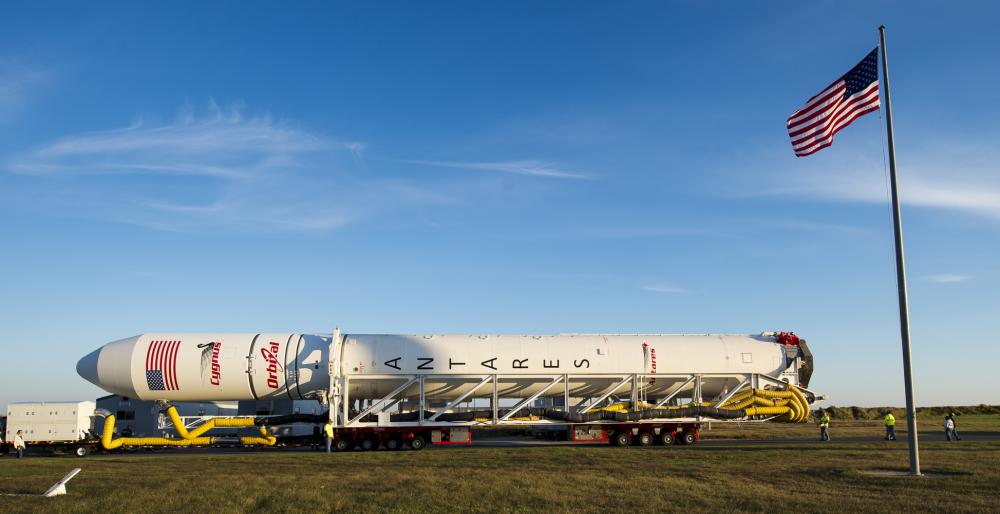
234, 366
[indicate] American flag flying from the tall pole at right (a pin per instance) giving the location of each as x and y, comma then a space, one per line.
847, 99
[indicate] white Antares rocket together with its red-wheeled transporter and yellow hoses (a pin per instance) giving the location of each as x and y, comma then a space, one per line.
408, 390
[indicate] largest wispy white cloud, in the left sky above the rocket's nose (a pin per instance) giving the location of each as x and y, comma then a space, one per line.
218, 170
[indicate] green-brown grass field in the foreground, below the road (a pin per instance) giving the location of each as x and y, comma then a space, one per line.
727, 477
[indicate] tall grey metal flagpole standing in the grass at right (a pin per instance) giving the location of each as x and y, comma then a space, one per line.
904, 311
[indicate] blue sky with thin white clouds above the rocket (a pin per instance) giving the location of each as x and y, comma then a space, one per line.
515, 168
